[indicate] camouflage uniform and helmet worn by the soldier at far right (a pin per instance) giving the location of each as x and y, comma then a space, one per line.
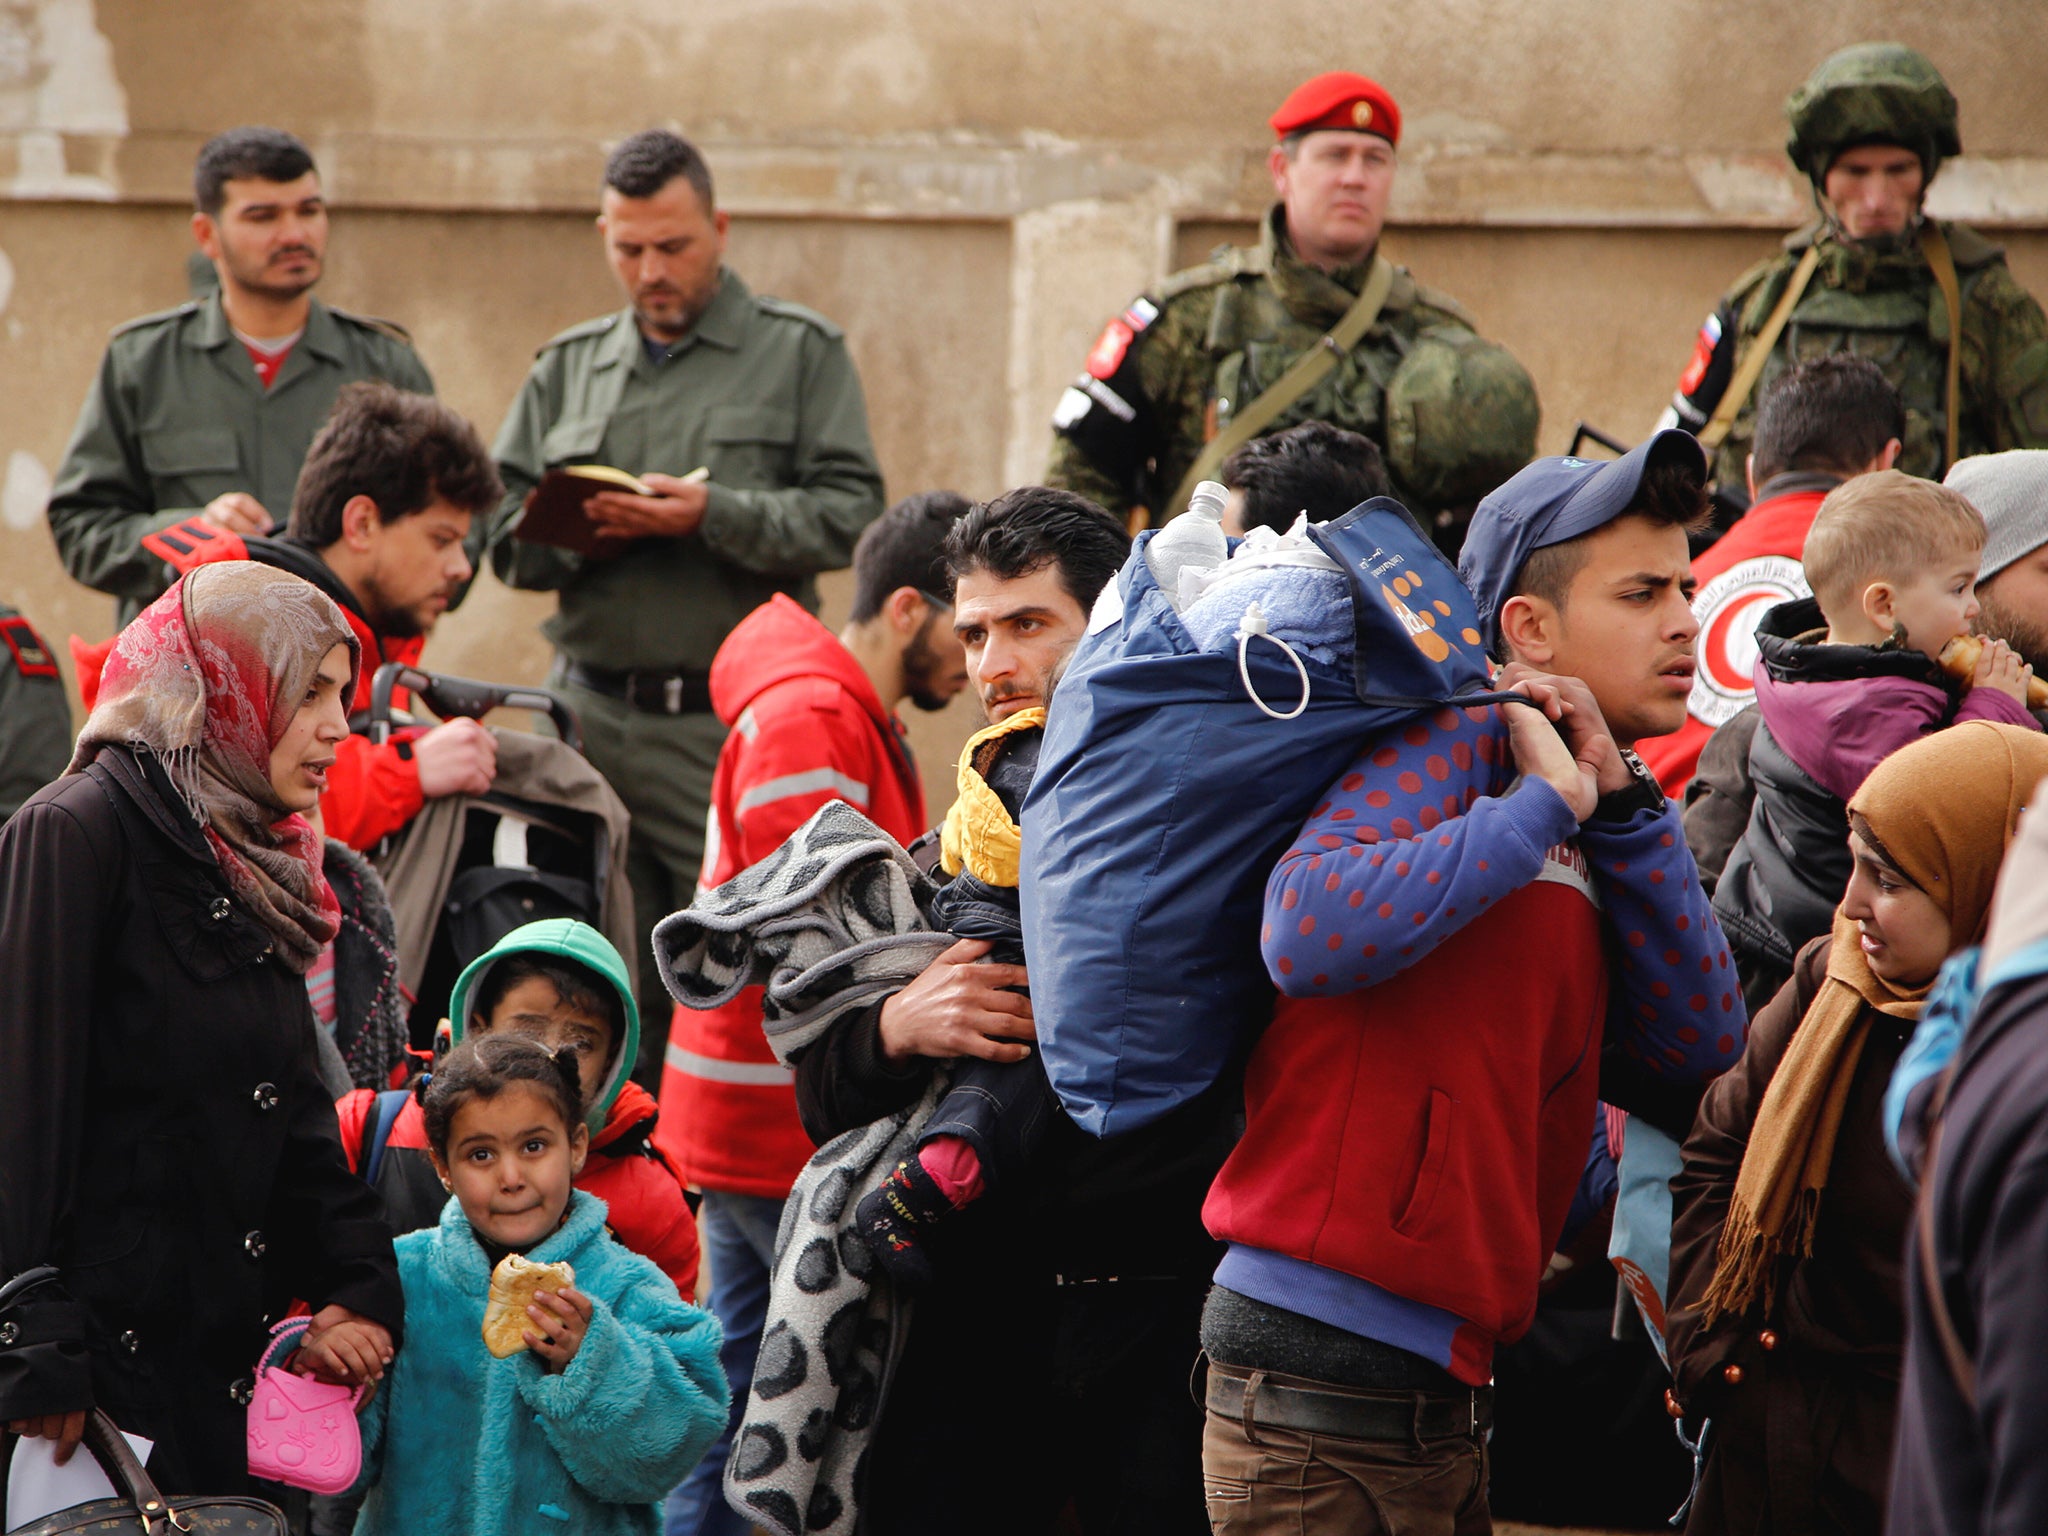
1879, 296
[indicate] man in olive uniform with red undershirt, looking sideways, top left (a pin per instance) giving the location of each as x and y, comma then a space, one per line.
204, 413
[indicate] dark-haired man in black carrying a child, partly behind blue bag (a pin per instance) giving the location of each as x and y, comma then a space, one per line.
1050, 1361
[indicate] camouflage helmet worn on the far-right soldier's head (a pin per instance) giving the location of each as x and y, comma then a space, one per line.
1873, 93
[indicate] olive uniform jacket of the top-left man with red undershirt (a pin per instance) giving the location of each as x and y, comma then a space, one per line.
179, 417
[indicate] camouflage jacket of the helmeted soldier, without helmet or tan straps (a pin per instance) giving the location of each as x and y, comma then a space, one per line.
1885, 304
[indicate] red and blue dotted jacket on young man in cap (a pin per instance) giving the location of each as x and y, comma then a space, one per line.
1455, 953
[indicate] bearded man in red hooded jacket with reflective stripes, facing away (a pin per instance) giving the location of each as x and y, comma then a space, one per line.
814, 720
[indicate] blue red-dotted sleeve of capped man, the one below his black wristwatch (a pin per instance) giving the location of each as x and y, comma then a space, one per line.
1676, 1002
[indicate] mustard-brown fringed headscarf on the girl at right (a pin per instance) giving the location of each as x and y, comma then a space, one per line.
1945, 808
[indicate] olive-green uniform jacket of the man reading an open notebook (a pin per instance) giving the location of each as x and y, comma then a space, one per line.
765, 396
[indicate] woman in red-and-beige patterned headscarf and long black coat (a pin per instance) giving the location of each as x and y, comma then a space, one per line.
171, 1170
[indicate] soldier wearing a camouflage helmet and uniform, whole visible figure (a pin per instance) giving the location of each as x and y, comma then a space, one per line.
1875, 275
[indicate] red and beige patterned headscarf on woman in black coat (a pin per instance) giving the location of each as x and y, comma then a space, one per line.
208, 679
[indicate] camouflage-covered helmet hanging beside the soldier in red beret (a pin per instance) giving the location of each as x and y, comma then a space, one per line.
1461, 417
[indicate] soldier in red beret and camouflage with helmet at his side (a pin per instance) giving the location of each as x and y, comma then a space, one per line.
1308, 327
